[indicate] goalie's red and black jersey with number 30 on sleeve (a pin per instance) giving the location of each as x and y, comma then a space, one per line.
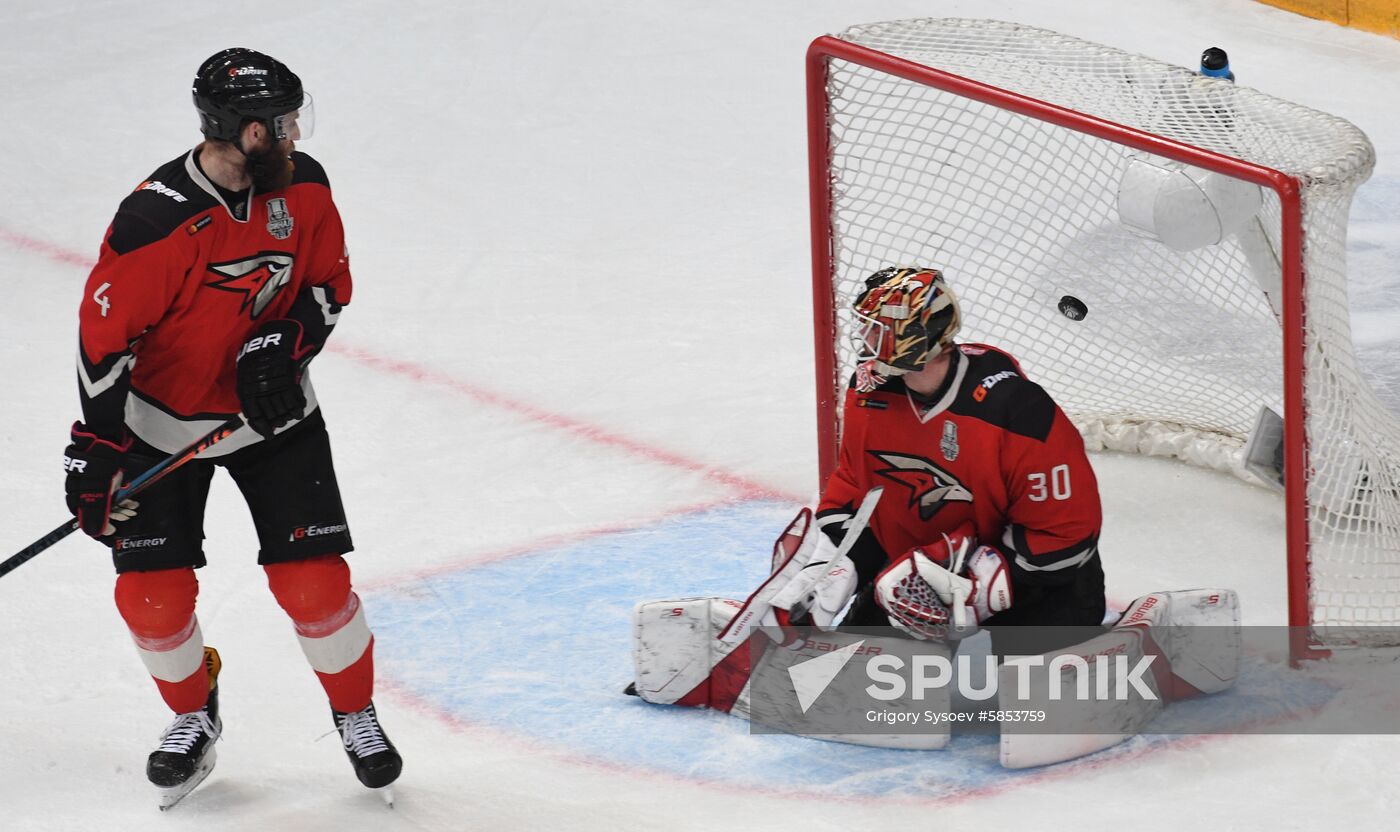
990, 448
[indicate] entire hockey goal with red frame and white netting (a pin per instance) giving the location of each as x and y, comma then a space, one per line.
1000, 155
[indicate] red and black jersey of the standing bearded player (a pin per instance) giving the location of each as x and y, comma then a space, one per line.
187, 275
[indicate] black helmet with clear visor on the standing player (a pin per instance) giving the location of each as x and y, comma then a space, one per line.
237, 86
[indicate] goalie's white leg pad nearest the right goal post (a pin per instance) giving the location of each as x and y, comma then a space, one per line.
1167, 646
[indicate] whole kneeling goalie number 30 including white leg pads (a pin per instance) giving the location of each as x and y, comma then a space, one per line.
962, 499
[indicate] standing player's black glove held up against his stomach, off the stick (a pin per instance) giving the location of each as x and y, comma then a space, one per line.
269, 376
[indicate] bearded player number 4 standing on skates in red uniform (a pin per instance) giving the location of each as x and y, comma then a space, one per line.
220, 278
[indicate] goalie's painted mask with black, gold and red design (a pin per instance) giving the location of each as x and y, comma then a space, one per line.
905, 317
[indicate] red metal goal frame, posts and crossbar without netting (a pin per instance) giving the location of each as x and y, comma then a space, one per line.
827, 48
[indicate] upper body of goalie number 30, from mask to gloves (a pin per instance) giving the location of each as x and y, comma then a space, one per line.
992, 511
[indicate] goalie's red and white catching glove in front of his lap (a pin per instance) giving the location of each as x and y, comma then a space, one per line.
939, 592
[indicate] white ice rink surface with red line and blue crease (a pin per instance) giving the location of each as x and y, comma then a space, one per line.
576, 375
